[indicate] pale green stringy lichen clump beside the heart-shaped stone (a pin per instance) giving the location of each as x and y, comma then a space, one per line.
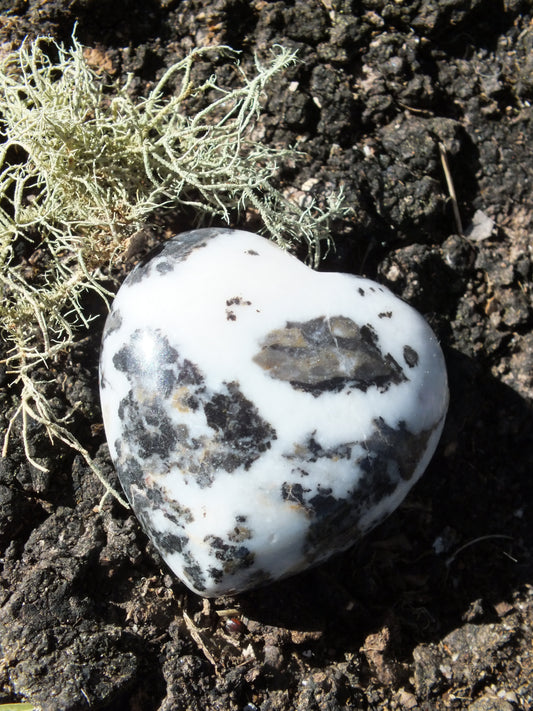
83, 166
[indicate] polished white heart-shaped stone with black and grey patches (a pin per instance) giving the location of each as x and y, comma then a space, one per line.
261, 415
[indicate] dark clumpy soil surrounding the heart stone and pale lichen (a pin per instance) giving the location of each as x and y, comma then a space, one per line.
434, 609
